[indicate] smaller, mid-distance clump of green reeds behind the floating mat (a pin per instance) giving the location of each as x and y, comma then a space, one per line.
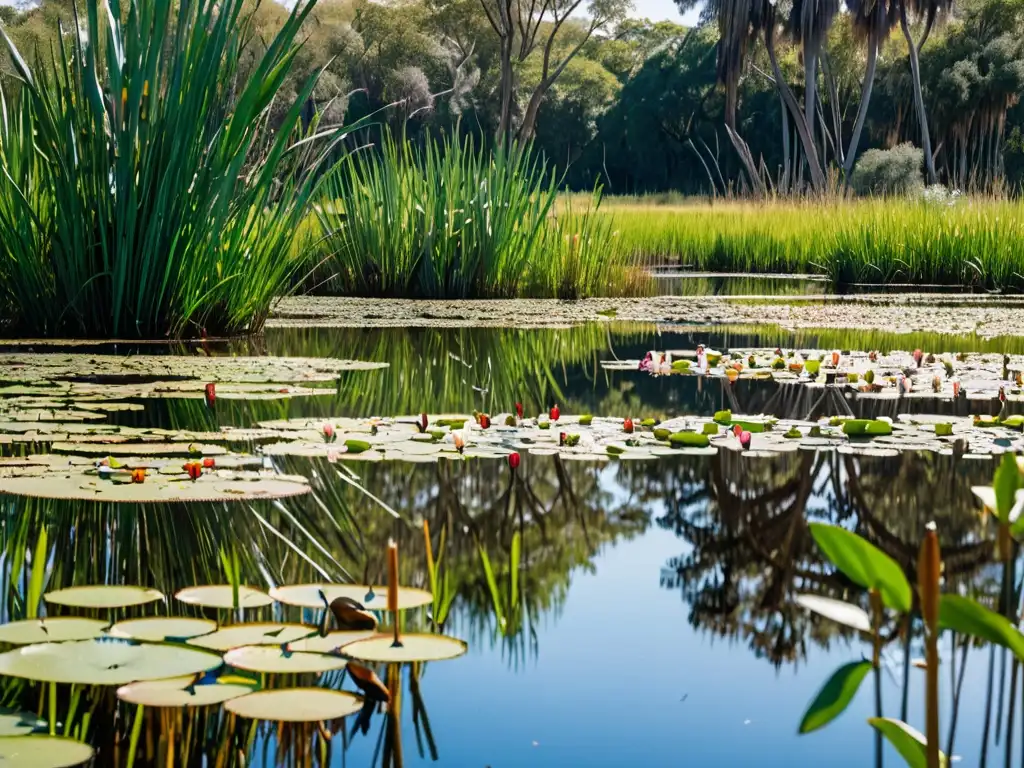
447, 220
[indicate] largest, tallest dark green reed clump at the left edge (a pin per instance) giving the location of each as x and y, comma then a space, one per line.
145, 193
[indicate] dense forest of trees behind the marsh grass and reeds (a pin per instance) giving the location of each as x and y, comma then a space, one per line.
643, 107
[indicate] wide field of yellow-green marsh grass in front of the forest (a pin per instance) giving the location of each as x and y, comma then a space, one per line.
969, 242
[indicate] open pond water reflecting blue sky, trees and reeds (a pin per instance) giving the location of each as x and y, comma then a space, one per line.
652, 618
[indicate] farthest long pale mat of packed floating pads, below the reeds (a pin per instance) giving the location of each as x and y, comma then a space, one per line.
987, 317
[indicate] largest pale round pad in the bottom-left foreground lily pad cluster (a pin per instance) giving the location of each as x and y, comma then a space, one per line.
105, 662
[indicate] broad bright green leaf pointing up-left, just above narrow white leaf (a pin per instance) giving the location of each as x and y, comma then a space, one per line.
865, 564
